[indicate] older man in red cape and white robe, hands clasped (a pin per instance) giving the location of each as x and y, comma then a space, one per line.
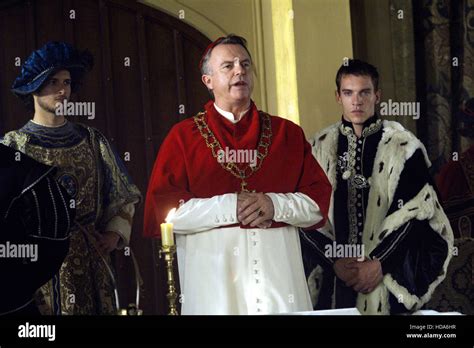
243, 182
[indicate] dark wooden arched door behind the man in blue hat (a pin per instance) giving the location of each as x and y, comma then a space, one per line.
145, 79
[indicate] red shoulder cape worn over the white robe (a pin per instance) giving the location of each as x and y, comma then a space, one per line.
185, 167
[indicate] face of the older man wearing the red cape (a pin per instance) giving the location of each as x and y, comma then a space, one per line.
231, 75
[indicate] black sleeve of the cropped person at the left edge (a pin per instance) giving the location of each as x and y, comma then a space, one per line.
40, 219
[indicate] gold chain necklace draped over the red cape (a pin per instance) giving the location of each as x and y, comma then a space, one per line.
216, 148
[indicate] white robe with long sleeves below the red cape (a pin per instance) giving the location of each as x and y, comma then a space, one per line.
230, 270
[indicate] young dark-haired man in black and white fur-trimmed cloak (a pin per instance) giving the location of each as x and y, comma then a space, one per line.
383, 205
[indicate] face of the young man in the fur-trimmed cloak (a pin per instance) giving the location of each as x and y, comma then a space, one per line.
358, 98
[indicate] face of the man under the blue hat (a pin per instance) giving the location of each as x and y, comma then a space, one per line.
54, 91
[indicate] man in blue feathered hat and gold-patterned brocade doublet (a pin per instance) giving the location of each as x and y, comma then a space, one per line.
91, 172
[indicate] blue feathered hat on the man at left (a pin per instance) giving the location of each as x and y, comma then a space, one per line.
49, 59
